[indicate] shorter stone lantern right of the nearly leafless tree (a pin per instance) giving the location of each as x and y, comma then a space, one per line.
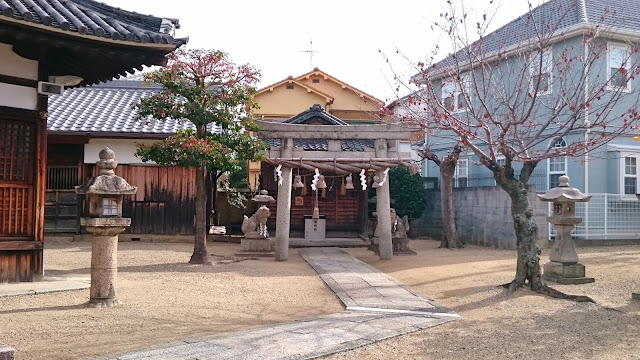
563, 266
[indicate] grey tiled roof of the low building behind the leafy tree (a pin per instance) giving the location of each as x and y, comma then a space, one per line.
106, 108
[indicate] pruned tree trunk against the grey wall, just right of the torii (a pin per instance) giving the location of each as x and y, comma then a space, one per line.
449, 233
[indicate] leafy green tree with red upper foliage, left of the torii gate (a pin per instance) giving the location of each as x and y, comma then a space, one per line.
207, 89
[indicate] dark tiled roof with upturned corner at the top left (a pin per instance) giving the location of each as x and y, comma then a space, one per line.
90, 18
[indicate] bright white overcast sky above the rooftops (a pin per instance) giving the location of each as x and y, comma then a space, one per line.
347, 34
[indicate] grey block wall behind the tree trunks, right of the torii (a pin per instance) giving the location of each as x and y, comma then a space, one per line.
483, 217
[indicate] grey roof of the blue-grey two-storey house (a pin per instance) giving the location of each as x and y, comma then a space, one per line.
621, 15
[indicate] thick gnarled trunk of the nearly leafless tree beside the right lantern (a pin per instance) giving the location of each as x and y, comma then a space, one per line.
528, 264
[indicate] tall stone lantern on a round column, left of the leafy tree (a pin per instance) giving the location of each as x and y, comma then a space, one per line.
104, 194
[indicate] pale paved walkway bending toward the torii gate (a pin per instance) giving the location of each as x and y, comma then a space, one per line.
378, 307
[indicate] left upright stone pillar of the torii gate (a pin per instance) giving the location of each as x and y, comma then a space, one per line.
283, 212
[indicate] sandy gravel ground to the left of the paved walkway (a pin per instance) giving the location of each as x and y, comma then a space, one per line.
164, 300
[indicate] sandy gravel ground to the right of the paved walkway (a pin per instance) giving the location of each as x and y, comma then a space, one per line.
527, 326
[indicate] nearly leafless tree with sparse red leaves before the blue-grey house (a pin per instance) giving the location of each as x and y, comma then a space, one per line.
533, 90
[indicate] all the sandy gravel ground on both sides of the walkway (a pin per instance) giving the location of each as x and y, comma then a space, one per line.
166, 300
